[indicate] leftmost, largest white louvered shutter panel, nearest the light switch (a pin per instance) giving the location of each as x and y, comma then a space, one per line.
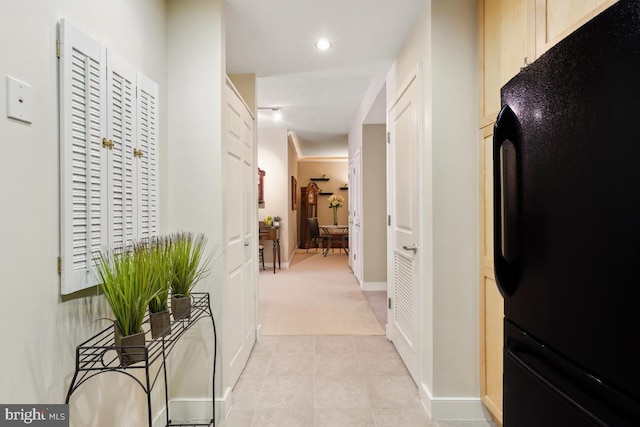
82, 164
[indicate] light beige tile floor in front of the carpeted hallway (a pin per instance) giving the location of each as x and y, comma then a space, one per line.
328, 381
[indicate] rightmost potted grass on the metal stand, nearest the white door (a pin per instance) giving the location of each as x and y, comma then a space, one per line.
189, 265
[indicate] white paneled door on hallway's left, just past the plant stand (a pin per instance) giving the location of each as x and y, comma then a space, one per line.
239, 293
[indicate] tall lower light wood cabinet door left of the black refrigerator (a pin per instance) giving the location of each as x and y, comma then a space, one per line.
491, 303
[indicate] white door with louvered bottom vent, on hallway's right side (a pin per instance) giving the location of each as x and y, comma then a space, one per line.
403, 283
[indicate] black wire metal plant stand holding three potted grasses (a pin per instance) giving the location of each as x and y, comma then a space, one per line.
99, 354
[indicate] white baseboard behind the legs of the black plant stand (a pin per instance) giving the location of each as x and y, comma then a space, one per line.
197, 410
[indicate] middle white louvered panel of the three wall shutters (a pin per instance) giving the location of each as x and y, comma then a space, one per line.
121, 95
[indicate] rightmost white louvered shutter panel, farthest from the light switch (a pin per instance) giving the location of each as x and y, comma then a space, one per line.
147, 160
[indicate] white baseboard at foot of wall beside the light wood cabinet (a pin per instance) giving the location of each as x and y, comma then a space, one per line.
453, 408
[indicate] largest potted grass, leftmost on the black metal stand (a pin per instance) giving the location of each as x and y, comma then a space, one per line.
126, 278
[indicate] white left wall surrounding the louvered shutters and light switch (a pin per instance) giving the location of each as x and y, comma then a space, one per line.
40, 330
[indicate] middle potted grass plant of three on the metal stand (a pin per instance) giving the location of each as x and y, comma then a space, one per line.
159, 317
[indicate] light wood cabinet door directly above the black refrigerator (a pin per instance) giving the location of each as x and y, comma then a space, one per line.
555, 19
